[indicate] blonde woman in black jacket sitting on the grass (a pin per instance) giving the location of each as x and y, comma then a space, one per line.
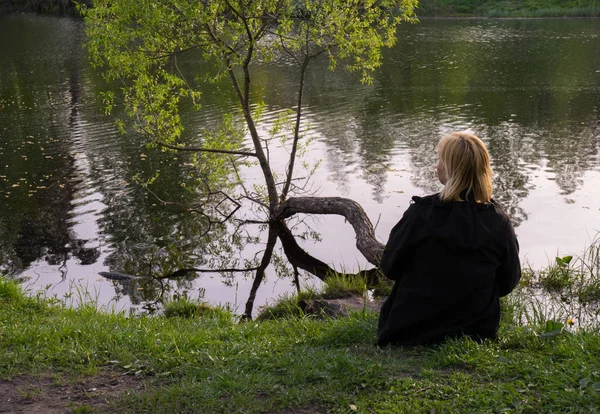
452, 255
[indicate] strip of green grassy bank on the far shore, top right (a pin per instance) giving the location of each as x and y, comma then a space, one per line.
510, 8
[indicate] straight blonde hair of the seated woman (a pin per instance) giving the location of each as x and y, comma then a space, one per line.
466, 163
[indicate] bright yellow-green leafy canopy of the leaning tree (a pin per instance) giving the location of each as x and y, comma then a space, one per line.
138, 42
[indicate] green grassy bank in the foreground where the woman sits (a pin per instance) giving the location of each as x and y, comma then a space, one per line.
202, 360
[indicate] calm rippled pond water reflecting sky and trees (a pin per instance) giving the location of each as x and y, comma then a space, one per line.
69, 207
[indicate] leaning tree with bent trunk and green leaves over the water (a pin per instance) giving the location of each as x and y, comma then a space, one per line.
139, 44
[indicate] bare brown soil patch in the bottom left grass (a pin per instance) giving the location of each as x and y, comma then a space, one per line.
58, 393
